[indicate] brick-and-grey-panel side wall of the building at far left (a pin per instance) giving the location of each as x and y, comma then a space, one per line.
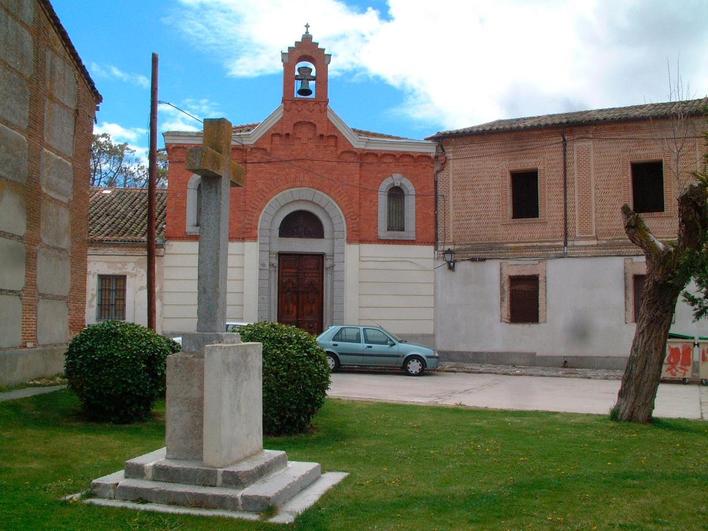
47, 107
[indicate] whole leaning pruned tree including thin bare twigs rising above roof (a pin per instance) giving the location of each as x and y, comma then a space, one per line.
670, 266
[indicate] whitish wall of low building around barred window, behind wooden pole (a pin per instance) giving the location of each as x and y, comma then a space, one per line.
132, 264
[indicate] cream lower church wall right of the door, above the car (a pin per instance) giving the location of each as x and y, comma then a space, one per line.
396, 287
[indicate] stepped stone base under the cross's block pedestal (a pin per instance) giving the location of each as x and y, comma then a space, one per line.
258, 483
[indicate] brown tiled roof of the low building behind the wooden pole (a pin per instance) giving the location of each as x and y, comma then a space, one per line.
119, 215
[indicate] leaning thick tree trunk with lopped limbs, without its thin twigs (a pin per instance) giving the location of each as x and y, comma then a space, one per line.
670, 266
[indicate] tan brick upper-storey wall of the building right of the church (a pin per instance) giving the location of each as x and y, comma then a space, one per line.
476, 209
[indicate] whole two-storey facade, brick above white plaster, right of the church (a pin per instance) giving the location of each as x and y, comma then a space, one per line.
583, 264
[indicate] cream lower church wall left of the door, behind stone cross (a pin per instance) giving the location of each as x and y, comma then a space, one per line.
179, 308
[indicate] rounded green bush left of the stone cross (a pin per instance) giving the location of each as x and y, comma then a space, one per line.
118, 370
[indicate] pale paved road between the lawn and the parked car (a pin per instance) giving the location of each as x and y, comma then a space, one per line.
513, 392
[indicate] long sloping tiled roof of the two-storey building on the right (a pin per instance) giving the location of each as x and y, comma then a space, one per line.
595, 116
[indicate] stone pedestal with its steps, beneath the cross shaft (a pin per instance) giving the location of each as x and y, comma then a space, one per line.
214, 458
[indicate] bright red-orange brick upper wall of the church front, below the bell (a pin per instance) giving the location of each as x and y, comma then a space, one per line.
304, 149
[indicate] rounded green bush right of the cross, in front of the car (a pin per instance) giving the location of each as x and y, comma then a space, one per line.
295, 376
